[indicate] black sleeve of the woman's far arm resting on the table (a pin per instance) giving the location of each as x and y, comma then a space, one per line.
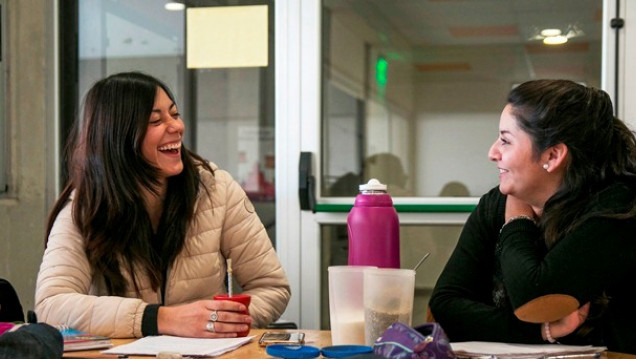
462, 301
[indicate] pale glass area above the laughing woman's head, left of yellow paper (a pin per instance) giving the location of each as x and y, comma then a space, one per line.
136, 35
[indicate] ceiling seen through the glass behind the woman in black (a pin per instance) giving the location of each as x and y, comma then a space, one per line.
481, 38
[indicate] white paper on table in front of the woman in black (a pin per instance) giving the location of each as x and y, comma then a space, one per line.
506, 350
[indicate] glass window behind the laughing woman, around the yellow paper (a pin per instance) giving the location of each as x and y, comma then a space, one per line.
228, 112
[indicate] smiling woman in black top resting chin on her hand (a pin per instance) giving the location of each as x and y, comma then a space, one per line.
550, 254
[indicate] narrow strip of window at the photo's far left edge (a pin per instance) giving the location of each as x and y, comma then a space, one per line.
4, 143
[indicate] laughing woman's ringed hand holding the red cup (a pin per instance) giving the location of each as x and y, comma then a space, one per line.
197, 319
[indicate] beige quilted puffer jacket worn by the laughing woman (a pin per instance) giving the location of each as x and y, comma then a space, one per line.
225, 226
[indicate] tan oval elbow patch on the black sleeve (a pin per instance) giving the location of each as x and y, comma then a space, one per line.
547, 308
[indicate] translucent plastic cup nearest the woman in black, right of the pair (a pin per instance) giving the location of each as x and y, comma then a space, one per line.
388, 298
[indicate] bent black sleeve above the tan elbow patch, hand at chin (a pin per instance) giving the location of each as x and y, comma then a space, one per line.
591, 258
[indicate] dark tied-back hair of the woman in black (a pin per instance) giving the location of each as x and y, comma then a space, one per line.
601, 148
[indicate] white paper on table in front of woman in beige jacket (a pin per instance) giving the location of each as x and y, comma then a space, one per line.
185, 346
